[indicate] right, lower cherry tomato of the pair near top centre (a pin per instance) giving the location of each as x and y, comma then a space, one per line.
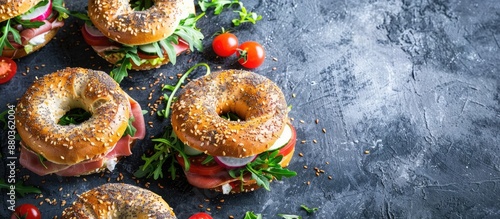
250, 54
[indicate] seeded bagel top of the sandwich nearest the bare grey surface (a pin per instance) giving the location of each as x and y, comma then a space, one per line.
258, 102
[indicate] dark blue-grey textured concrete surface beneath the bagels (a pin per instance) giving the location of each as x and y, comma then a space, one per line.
407, 92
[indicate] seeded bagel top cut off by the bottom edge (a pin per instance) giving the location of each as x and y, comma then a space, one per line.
117, 200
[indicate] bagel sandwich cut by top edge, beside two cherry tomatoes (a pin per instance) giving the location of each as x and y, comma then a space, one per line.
141, 35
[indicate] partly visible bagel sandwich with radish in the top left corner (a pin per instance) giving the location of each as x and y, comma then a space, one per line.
28, 25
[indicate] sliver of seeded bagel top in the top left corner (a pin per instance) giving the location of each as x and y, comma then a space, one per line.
14, 8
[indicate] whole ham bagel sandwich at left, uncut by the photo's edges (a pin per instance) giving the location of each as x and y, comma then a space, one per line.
58, 138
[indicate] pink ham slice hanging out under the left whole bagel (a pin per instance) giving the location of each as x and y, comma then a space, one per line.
31, 161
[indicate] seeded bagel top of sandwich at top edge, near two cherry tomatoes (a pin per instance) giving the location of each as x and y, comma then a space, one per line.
119, 22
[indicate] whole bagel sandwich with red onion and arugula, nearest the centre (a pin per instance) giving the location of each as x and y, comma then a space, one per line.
235, 132
